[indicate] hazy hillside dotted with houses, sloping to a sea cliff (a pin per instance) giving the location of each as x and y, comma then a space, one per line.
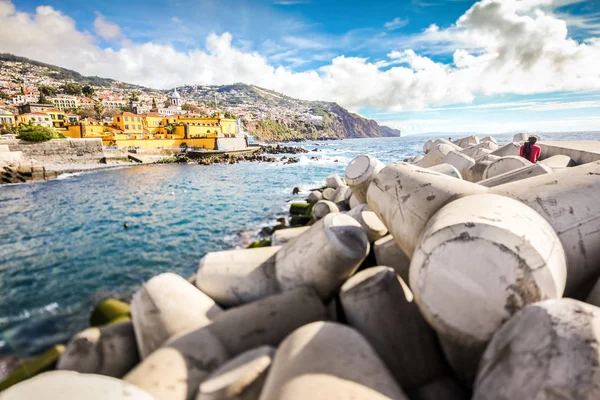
266, 114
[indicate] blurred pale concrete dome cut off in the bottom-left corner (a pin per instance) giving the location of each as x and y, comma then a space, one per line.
69, 385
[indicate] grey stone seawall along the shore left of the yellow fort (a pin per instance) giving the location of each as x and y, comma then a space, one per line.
59, 151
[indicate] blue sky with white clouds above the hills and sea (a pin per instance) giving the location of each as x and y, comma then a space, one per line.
490, 66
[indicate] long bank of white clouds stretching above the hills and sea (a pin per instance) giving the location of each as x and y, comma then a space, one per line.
500, 47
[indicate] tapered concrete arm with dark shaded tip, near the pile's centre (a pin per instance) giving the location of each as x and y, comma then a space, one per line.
324, 256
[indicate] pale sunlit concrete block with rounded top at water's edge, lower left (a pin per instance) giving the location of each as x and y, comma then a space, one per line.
166, 305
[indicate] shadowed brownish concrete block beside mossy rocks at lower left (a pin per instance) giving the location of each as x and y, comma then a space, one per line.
110, 350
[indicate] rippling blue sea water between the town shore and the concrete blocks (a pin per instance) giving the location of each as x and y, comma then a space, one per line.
63, 244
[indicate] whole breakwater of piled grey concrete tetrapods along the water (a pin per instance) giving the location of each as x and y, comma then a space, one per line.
451, 302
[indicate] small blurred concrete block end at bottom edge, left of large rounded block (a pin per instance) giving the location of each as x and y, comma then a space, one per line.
241, 378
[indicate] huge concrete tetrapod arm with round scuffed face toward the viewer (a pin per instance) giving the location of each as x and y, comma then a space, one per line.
481, 259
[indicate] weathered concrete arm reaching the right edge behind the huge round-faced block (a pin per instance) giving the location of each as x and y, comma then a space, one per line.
568, 200
